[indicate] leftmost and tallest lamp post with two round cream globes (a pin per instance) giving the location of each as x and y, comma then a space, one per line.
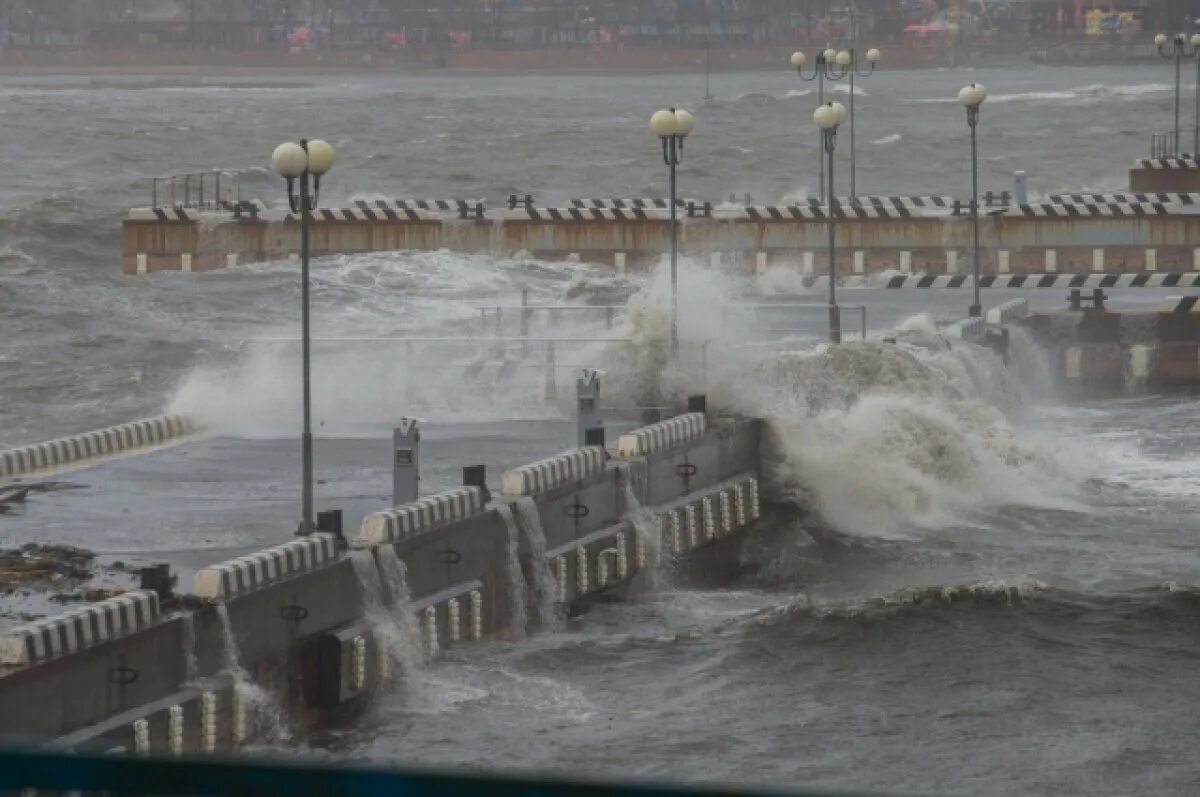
304, 164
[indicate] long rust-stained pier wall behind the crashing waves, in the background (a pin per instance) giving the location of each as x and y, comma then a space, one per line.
1072, 235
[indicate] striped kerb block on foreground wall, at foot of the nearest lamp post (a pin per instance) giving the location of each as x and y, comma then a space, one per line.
247, 574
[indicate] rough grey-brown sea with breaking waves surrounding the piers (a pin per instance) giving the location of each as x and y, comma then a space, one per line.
967, 586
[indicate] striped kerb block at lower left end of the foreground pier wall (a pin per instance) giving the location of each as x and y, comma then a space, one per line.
80, 628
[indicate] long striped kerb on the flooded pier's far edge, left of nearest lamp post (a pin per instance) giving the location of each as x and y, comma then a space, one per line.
80, 450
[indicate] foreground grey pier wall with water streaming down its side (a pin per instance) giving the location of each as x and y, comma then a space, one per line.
307, 631
